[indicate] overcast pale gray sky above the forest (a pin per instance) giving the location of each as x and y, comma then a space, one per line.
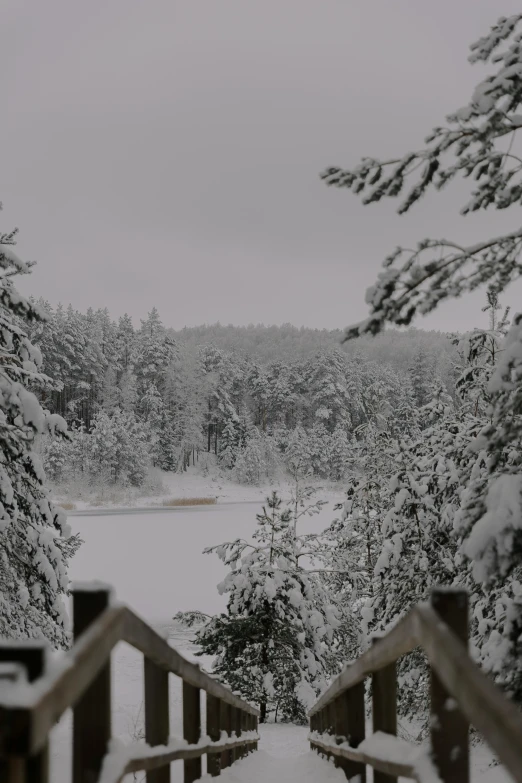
167, 152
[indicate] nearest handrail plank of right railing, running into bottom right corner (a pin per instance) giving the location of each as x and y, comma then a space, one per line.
484, 705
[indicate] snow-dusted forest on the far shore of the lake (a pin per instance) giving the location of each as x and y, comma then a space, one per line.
133, 397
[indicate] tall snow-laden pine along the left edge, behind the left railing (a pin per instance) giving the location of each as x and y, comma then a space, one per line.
35, 541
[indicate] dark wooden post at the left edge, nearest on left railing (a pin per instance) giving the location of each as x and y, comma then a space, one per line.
32, 769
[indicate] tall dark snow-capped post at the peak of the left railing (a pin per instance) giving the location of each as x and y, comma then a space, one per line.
92, 713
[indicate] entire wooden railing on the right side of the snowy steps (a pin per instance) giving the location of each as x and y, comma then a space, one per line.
460, 696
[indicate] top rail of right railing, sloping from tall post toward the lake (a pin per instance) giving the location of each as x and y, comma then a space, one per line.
400, 640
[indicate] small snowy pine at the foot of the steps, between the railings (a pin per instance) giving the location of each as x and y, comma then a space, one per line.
272, 645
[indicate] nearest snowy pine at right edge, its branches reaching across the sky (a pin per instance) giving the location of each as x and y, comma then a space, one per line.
417, 280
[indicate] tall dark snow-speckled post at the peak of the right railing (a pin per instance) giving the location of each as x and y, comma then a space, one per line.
448, 727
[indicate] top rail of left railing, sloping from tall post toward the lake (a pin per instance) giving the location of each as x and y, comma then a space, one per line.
141, 636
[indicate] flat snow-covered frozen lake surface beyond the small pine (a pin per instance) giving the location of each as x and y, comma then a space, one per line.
154, 560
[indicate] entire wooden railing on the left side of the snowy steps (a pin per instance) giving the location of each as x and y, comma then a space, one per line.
29, 709
